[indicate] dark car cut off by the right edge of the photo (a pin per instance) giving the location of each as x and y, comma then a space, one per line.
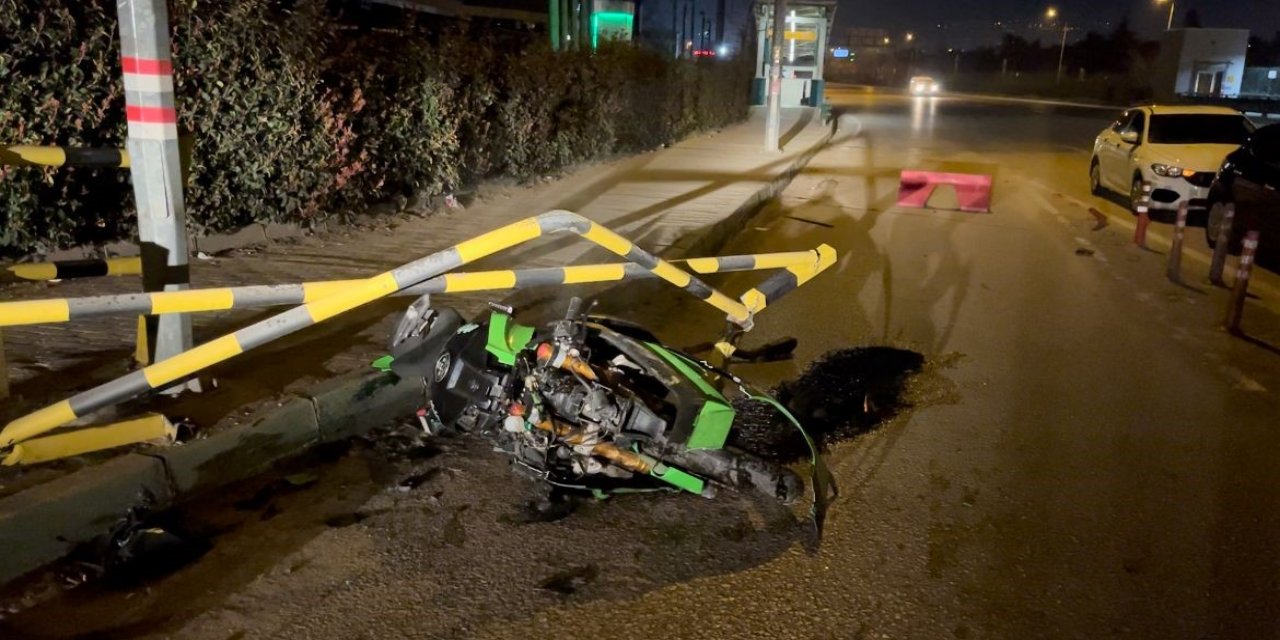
1250, 180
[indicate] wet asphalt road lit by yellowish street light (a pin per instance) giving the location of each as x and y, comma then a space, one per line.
1089, 458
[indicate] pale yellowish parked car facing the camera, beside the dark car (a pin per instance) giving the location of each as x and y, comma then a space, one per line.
1178, 149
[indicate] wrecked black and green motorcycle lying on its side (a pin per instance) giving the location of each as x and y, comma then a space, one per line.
595, 404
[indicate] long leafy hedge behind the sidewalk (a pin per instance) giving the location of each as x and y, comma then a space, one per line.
298, 118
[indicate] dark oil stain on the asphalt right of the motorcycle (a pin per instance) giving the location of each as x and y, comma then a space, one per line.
842, 395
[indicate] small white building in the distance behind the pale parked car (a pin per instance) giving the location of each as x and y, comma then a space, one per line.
1208, 63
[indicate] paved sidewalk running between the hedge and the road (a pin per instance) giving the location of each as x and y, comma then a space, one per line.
278, 400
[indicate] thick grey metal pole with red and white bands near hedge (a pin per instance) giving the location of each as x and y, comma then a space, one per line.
157, 164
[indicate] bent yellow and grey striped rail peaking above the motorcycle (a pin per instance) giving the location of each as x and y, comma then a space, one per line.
362, 292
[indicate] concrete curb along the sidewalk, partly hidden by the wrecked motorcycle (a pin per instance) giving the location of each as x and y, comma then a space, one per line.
44, 524
